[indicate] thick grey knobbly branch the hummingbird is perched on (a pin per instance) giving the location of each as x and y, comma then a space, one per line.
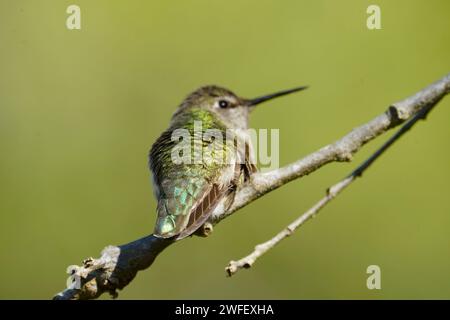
118, 265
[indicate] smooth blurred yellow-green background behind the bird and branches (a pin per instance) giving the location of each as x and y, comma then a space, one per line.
80, 109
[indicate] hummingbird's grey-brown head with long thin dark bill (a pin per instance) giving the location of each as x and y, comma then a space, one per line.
230, 108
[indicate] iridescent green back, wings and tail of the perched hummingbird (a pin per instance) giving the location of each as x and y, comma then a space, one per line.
187, 193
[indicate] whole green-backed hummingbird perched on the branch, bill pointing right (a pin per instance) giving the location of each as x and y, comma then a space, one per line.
187, 193
